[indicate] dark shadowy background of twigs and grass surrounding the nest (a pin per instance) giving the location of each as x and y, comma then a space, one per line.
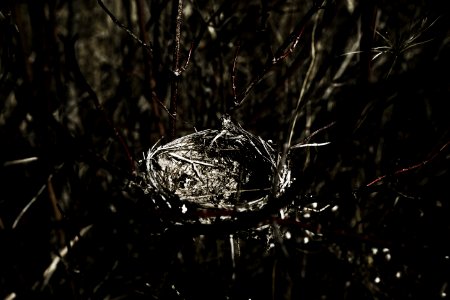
82, 100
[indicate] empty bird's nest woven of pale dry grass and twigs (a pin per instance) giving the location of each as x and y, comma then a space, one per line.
227, 168
